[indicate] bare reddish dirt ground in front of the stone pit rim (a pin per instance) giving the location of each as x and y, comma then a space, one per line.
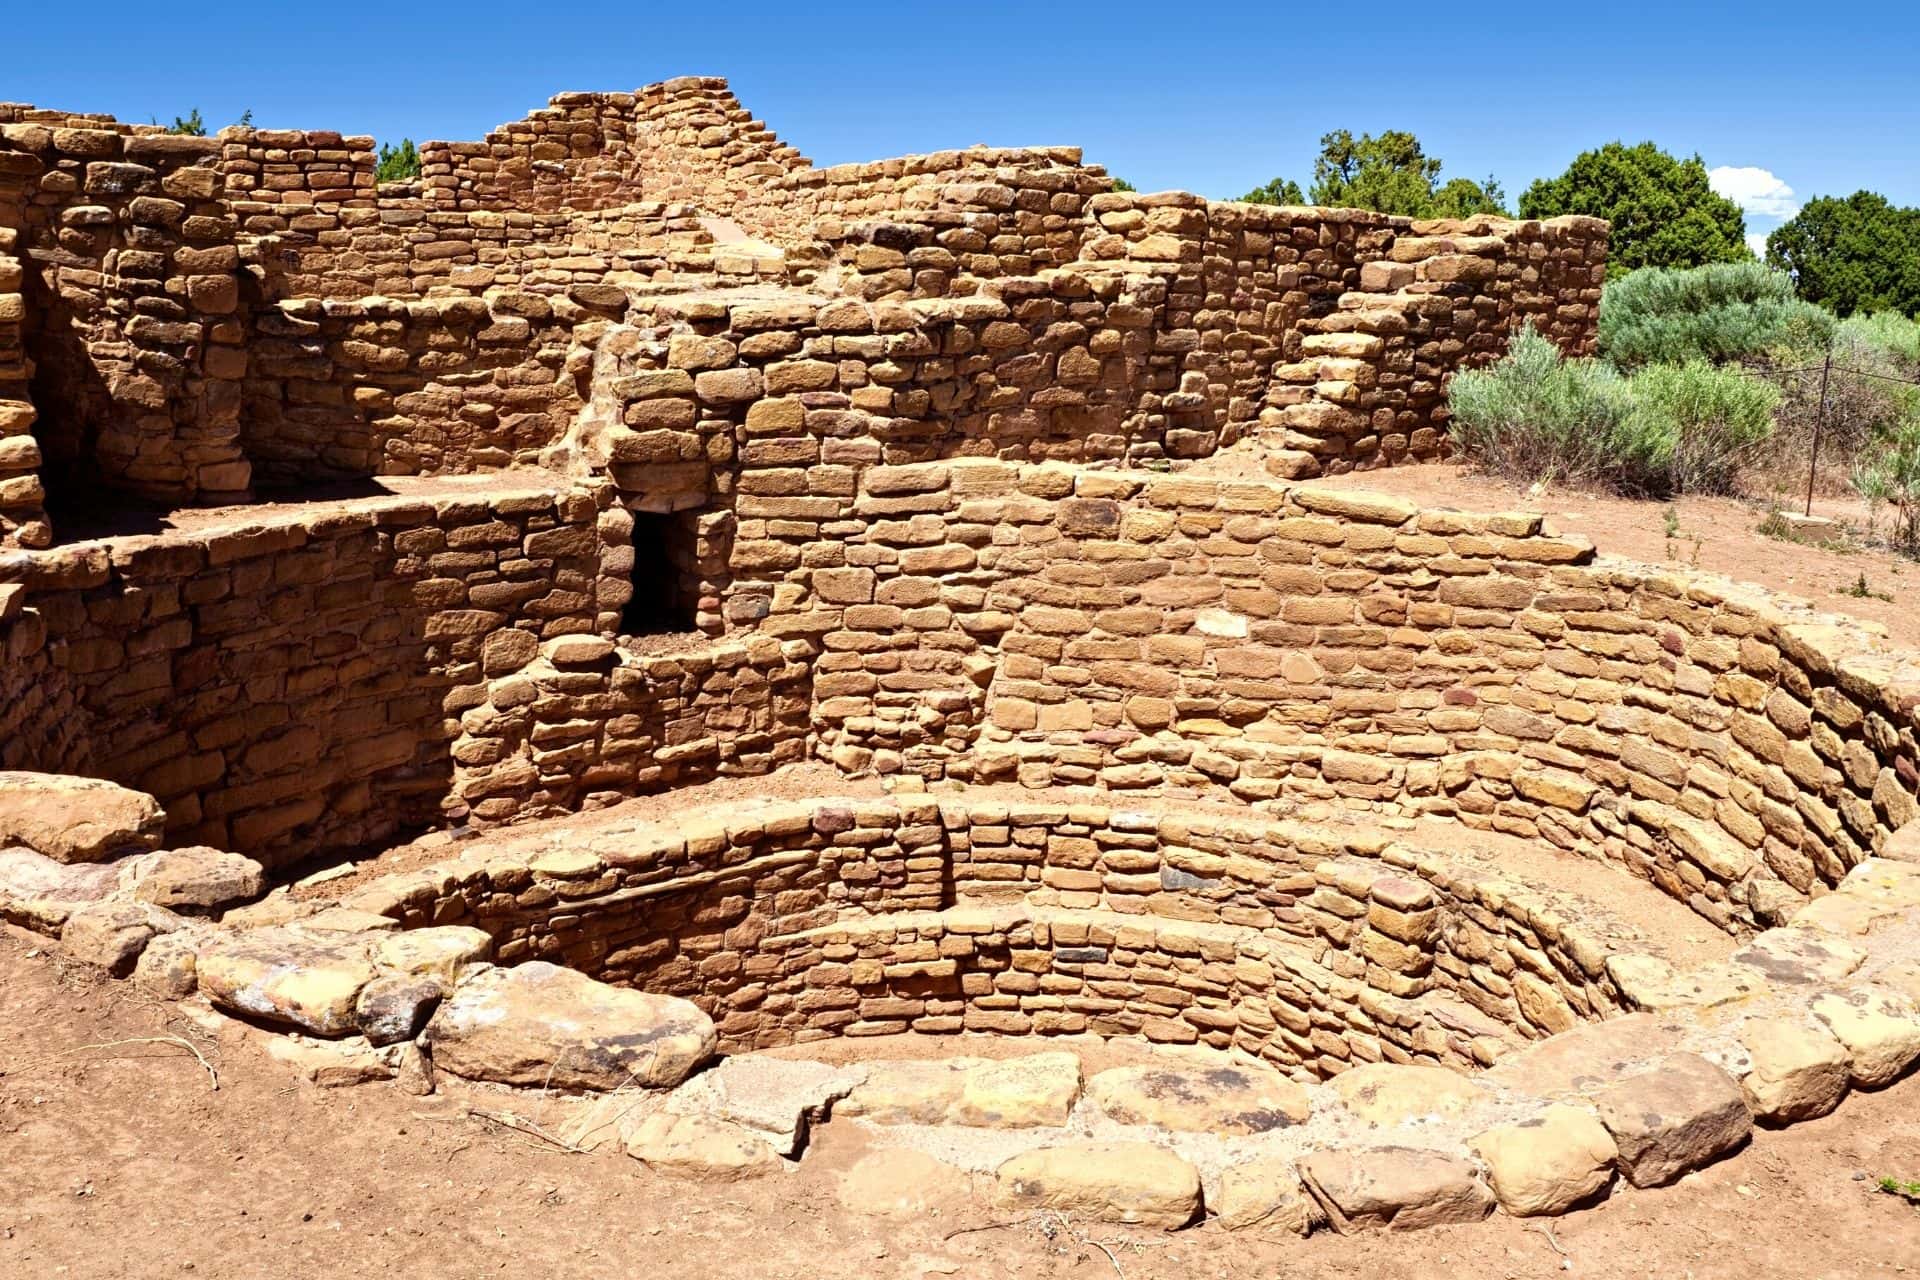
122, 1162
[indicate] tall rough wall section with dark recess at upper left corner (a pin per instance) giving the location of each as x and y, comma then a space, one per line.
132, 308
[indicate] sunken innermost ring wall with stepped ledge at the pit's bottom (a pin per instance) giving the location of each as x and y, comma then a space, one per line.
1314, 947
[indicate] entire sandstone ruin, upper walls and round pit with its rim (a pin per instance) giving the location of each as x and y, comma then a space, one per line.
627, 452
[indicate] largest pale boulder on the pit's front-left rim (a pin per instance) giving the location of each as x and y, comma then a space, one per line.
540, 1024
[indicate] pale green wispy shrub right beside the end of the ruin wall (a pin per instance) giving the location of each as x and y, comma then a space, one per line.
1537, 415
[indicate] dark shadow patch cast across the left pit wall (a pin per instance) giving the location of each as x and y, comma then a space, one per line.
279, 696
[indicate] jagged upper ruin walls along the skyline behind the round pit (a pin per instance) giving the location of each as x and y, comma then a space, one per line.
203, 308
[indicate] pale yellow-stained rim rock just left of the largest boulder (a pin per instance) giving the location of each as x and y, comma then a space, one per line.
287, 976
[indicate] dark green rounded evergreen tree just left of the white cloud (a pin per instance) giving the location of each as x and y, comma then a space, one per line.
1664, 210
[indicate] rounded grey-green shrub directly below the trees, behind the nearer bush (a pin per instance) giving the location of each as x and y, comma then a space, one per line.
1721, 312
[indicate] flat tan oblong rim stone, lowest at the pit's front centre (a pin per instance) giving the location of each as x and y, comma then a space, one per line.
1105, 1181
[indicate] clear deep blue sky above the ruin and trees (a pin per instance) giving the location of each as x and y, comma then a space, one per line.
1212, 99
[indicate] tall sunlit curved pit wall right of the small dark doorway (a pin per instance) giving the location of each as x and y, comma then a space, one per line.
986, 621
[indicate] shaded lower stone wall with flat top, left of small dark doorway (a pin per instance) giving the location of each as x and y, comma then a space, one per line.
287, 688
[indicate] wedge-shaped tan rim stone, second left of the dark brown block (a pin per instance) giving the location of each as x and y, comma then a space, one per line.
1395, 1187
